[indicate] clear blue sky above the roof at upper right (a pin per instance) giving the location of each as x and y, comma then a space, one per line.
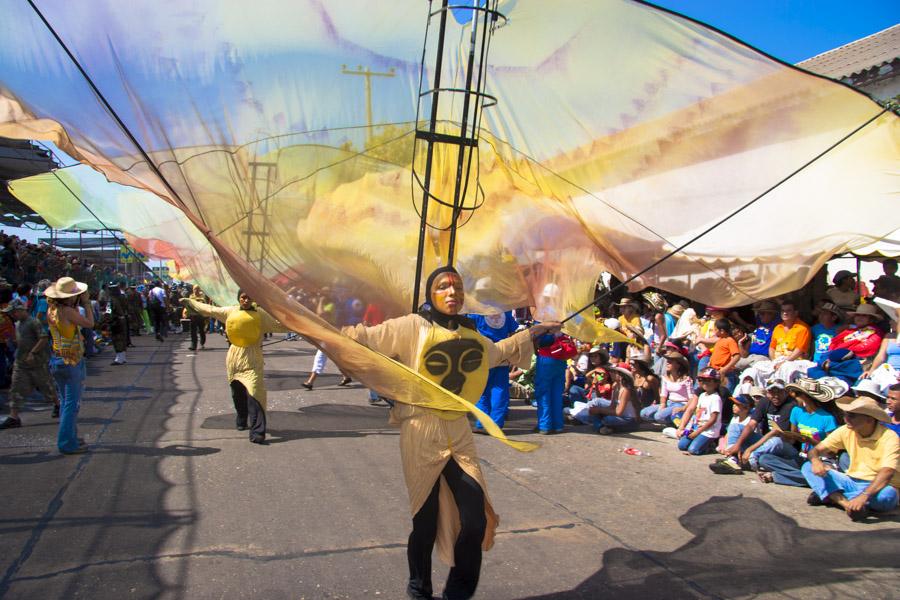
792, 30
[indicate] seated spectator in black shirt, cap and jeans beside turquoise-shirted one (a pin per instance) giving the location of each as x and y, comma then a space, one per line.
771, 416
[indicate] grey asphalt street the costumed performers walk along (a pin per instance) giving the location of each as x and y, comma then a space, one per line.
172, 502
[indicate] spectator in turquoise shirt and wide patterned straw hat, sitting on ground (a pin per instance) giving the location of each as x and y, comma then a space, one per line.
811, 422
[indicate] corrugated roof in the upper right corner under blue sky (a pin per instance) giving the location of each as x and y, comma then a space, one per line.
865, 53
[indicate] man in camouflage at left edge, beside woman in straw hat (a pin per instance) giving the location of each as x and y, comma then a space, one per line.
31, 368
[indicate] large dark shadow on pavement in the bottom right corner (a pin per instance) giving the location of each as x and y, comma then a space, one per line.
742, 547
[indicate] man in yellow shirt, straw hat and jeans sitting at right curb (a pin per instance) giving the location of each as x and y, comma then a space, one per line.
871, 481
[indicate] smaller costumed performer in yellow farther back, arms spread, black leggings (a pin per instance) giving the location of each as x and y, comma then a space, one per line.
245, 325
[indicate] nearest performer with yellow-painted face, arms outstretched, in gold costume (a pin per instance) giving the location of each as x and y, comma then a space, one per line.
446, 487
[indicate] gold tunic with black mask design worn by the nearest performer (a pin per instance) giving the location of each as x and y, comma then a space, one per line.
457, 360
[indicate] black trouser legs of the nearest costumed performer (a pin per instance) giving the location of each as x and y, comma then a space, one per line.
463, 577
